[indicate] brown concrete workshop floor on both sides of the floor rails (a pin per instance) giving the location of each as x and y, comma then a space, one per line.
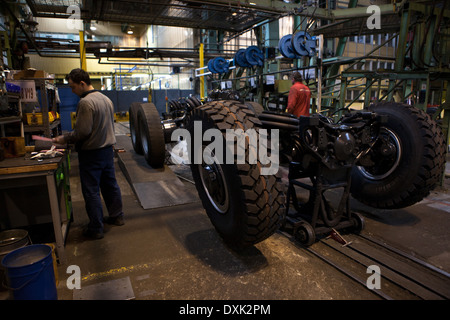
175, 253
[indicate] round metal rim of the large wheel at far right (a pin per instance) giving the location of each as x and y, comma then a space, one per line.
385, 165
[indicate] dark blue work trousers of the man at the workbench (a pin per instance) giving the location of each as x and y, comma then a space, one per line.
97, 173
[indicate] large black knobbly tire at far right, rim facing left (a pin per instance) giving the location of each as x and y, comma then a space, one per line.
407, 166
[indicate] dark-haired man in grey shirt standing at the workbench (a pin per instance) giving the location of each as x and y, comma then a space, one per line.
93, 136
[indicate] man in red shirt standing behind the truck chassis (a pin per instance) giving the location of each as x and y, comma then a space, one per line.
299, 97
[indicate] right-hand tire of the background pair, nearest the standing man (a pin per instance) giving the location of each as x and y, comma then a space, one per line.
152, 134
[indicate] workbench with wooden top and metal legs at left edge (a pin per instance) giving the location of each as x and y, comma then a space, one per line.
20, 203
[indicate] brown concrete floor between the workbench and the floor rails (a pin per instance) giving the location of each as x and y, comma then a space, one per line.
175, 253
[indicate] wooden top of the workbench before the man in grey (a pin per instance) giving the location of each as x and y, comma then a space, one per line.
25, 164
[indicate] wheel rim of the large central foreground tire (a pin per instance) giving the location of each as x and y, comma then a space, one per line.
214, 184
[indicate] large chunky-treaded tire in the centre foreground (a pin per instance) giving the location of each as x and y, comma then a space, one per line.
244, 206
